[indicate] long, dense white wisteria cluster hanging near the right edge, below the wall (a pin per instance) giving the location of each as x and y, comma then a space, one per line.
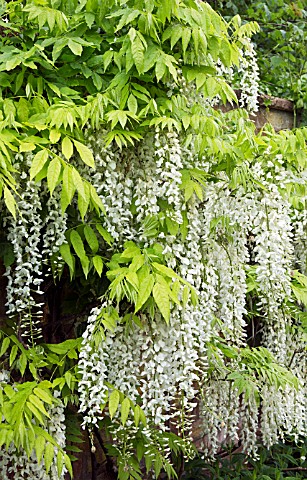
272, 230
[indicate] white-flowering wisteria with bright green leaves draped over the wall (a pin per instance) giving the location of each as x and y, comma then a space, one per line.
154, 246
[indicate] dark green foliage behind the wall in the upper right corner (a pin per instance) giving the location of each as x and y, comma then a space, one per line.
281, 44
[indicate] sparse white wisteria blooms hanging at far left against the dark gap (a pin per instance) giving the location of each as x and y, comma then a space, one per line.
36, 235
